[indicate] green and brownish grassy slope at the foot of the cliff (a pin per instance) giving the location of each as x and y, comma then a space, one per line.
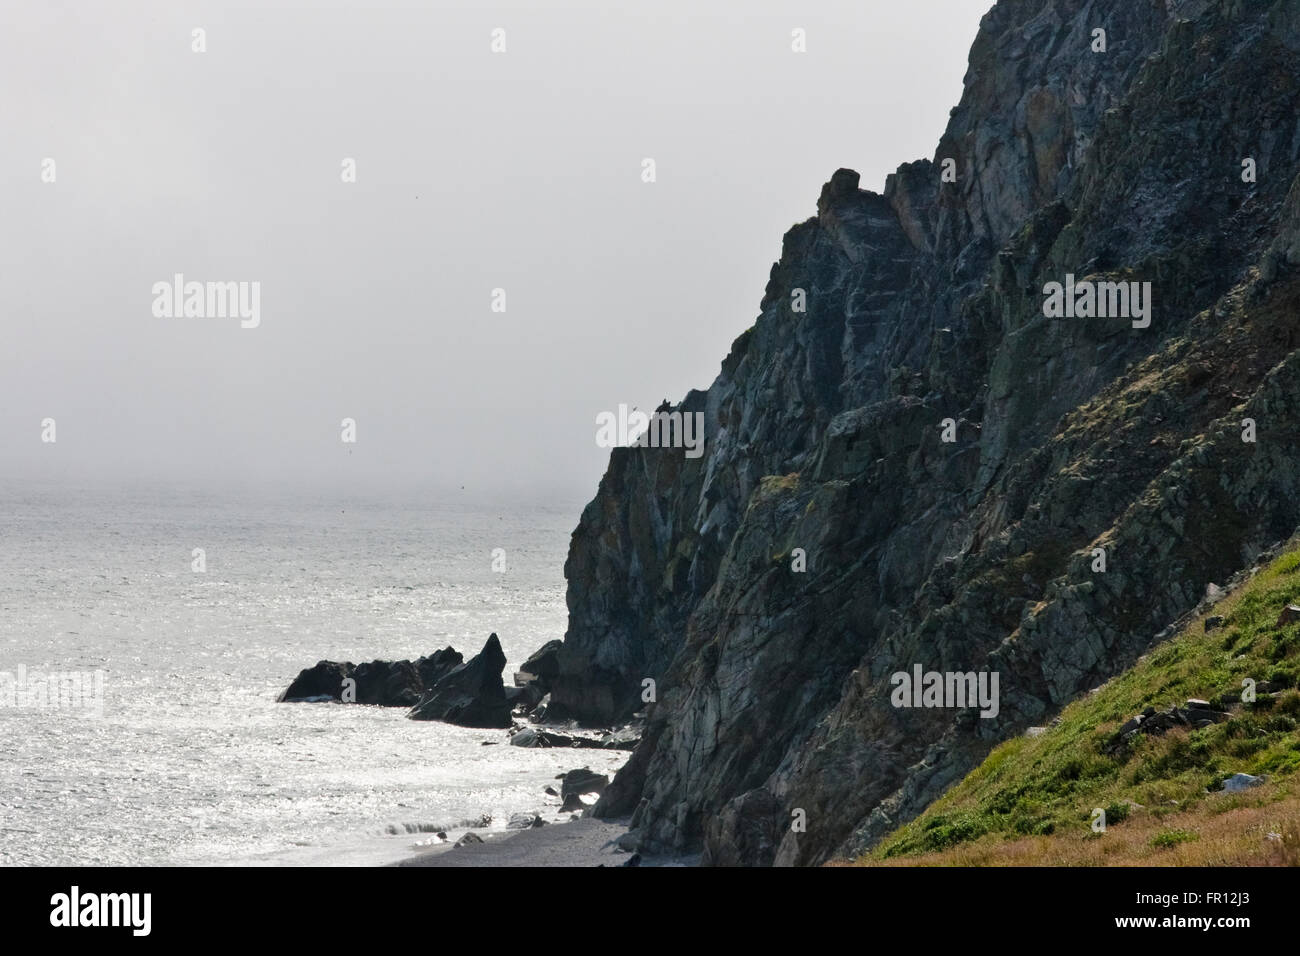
1032, 802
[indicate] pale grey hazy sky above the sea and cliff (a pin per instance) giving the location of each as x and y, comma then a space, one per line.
475, 171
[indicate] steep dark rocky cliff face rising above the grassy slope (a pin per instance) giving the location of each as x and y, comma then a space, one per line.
825, 434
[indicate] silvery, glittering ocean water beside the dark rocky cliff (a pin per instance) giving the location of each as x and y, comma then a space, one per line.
190, 760
